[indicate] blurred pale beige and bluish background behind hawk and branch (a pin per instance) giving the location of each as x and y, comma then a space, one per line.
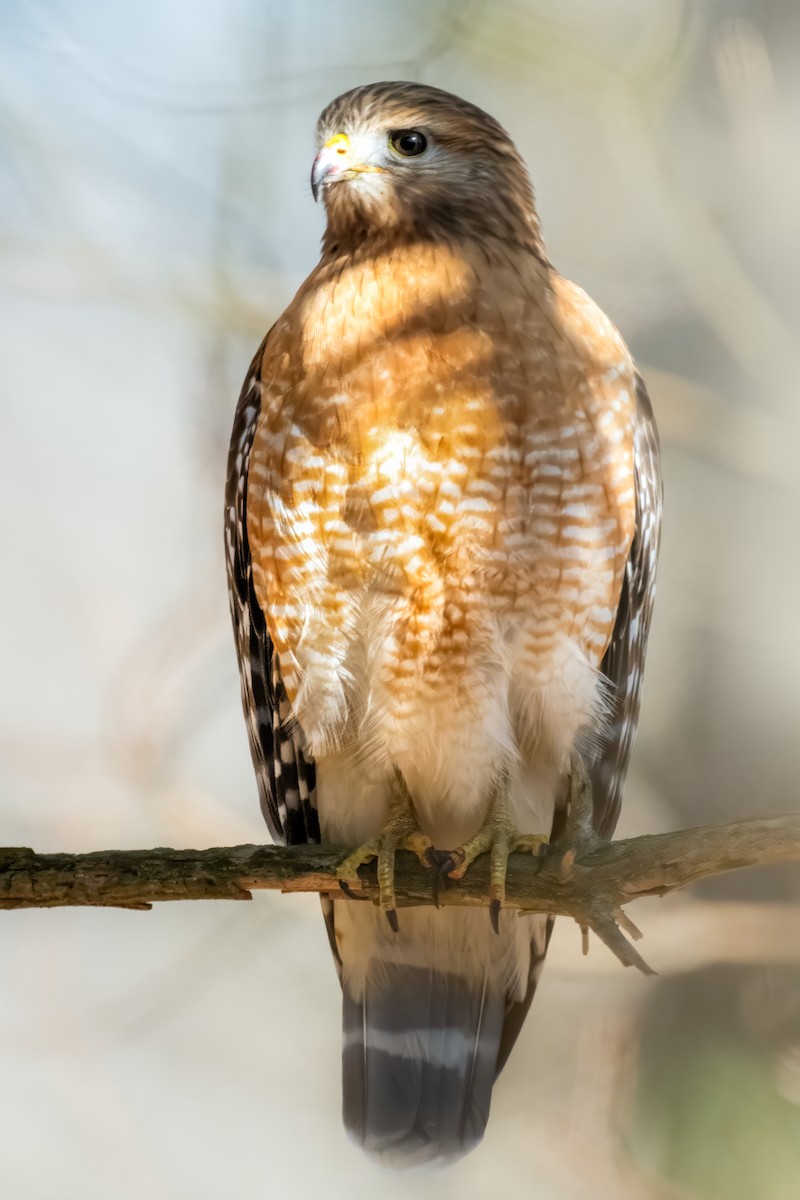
155, 218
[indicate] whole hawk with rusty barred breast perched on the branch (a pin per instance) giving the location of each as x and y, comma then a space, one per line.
442, 525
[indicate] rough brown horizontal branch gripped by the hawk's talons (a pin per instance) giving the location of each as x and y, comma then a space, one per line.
592, 889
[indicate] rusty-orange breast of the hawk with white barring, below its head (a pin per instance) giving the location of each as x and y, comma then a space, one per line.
443, 459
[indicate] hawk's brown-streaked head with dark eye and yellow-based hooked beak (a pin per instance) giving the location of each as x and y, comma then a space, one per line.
412, 160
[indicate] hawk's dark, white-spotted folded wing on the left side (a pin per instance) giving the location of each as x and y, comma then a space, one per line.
285, 773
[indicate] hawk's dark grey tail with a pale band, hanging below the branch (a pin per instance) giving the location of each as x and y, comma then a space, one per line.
428, 1024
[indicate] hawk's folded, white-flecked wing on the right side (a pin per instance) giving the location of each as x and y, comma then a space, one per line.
624, 662
